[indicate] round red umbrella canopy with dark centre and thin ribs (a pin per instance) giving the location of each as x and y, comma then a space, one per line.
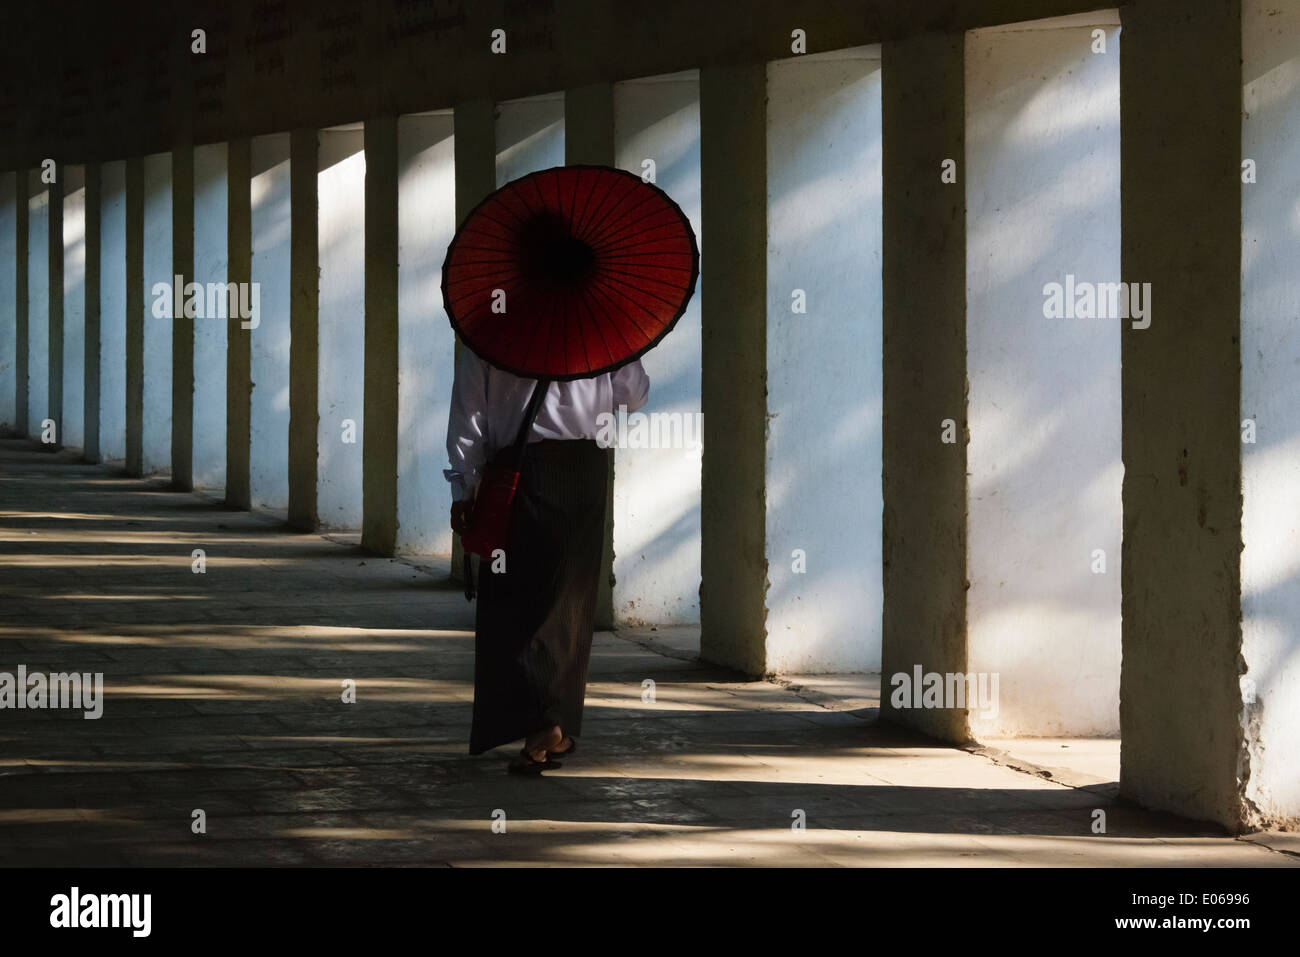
570, 272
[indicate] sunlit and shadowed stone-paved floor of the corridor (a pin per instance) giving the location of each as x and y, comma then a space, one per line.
224, 695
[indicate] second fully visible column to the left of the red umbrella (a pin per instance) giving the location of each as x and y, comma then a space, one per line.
304, 328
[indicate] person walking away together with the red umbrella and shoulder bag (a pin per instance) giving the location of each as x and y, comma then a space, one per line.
557, 284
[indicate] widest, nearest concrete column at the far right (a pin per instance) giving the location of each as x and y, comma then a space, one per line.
1180, 692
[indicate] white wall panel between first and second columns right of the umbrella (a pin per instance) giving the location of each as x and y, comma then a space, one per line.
824, 367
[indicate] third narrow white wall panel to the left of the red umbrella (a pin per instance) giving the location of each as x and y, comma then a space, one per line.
268, 453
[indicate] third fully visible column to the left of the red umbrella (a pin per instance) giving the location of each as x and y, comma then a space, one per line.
239, 341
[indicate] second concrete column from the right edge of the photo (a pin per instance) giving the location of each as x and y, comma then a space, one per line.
924, 373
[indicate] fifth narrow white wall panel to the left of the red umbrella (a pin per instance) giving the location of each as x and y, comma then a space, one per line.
158, 328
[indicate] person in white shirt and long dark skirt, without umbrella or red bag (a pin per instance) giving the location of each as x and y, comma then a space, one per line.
538, 601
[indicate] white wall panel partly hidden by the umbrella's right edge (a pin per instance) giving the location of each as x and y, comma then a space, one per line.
657, 491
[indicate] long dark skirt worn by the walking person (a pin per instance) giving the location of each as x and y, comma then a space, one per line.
534, 626
